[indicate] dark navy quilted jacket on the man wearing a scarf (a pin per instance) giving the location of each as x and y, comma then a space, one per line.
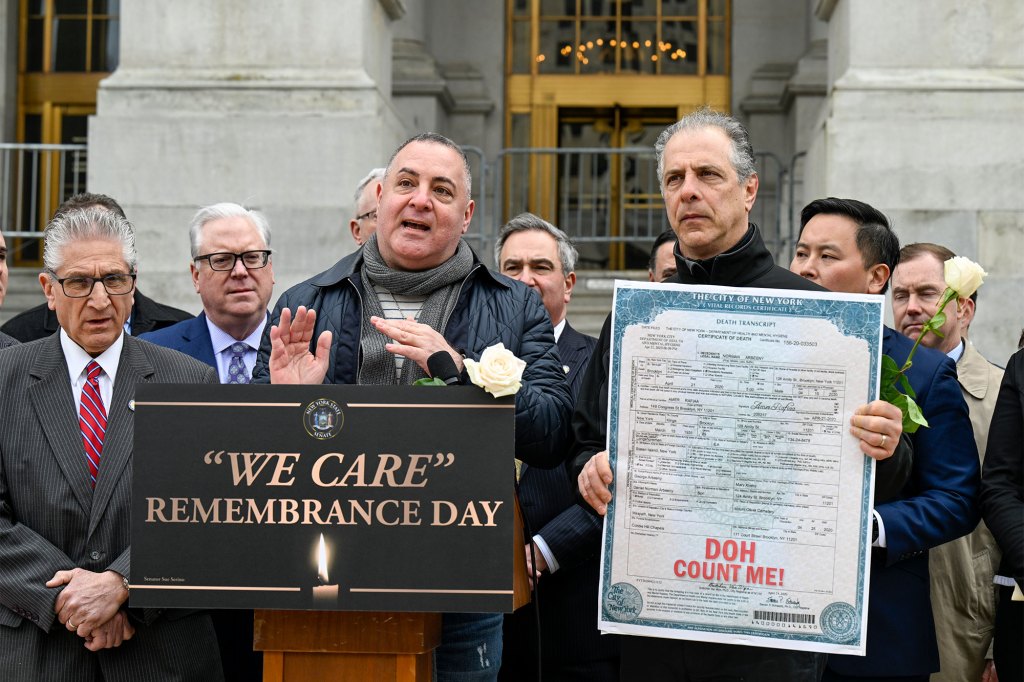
491, 310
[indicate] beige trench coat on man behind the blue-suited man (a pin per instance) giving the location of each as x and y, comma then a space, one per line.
963, 593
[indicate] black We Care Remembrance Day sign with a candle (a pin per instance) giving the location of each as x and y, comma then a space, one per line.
345, 498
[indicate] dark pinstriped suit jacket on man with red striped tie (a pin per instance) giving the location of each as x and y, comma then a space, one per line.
53, 520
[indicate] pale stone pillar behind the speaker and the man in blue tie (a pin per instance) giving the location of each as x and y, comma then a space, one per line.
280, 107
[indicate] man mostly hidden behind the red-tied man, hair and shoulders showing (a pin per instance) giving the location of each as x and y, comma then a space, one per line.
145, 316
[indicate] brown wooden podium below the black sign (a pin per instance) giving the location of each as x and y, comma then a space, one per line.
302, 647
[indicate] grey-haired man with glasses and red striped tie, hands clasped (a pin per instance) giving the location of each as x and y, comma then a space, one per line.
66, 478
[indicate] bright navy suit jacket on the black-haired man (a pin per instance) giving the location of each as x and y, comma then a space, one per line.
937, 504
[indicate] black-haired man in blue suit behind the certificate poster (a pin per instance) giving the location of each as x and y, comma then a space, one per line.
848, 246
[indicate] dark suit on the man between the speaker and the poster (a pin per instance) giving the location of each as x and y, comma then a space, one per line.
568, 598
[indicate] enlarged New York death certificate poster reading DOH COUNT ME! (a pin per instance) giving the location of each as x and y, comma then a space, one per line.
743, 505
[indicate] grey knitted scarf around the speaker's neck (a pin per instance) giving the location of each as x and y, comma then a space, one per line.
441, 285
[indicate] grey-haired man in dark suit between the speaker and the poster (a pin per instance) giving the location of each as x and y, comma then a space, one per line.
567, 538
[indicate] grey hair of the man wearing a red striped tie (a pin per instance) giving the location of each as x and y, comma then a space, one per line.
88, 224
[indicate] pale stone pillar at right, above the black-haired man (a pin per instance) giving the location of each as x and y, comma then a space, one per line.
924, 122
